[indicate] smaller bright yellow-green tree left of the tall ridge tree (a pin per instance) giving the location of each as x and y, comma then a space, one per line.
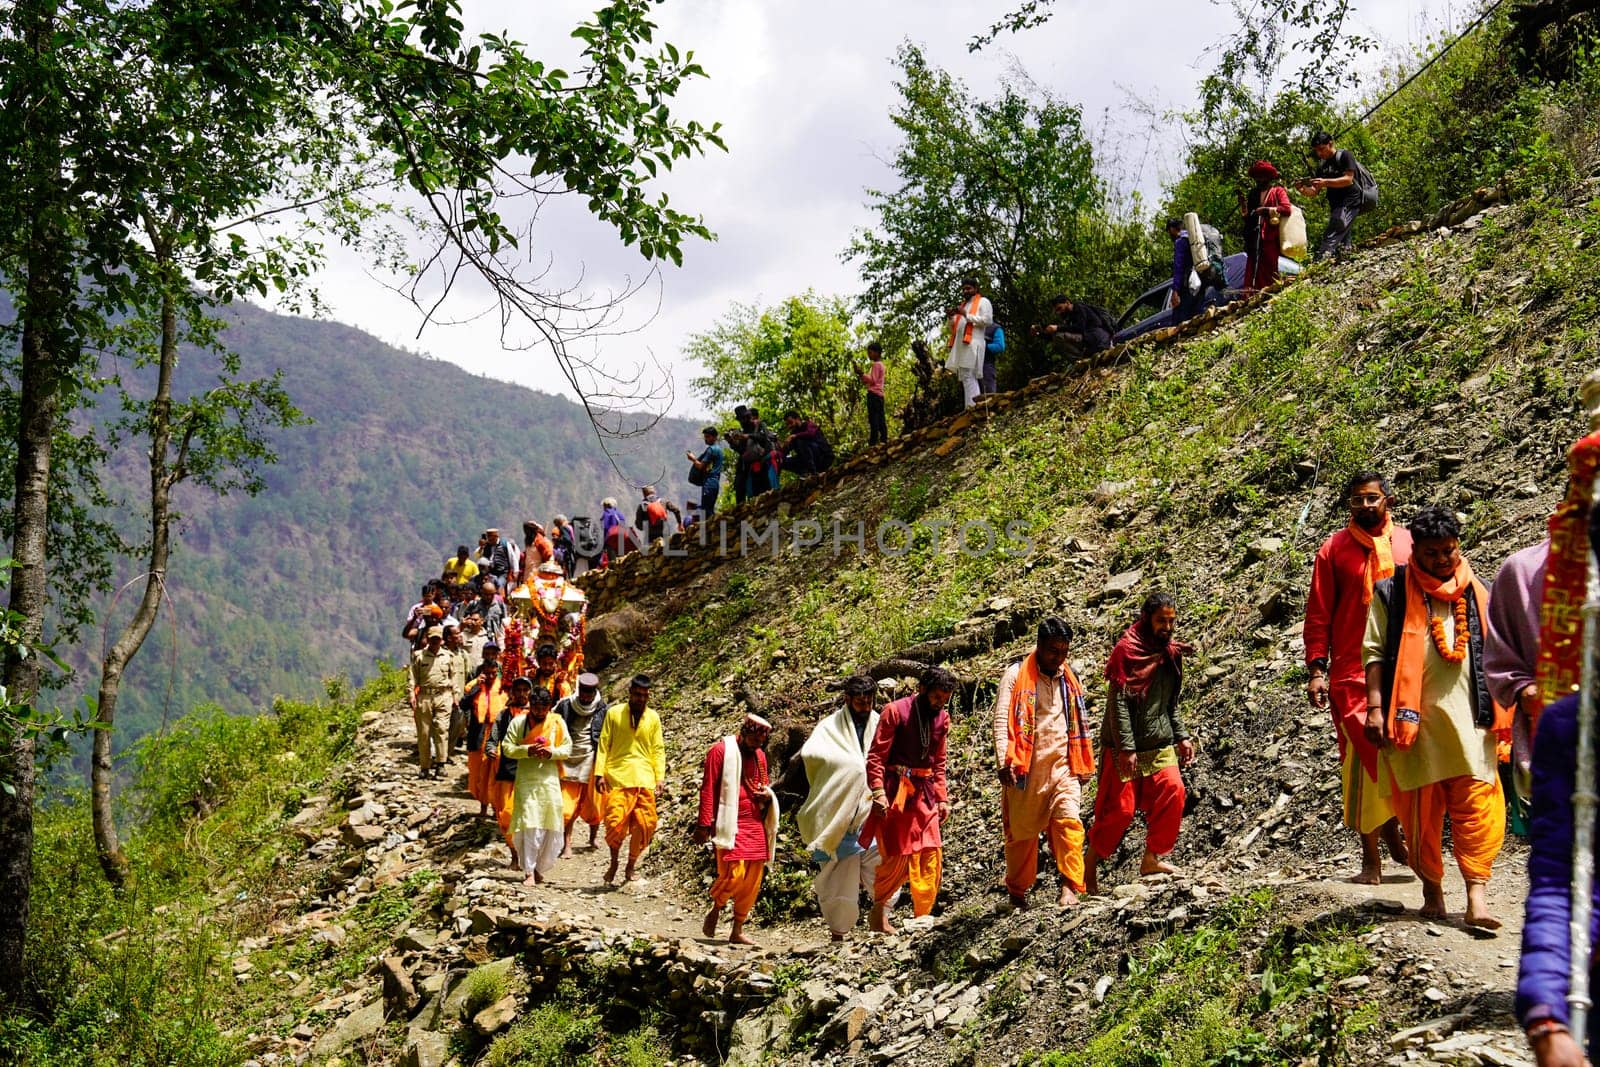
806, 356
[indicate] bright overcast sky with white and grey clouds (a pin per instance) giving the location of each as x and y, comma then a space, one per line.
804, 94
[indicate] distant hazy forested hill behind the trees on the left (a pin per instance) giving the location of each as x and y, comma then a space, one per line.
407, 458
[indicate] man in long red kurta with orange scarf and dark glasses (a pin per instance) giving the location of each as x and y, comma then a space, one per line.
1348, 567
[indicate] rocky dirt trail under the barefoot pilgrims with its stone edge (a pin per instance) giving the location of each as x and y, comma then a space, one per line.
801, 999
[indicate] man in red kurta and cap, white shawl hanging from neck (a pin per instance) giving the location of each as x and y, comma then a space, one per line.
740, 817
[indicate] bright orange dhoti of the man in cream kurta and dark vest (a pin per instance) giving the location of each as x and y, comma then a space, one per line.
1478, 825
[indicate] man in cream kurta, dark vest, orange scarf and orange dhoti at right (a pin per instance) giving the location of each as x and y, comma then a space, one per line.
1431, 713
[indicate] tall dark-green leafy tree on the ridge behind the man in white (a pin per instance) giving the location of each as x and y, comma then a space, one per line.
1004, 190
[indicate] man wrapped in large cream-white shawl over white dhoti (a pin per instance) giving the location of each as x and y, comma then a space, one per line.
834, 761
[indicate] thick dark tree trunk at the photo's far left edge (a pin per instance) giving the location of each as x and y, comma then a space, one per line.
47, 353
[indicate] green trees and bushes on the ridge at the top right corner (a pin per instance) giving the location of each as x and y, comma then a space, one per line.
1471, 119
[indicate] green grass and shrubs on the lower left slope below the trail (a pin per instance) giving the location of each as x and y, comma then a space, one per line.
142, 980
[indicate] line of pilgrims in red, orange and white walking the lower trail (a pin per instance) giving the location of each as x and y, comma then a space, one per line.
1436, 684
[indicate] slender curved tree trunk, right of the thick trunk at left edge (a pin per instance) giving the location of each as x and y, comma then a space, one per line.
132, 637
